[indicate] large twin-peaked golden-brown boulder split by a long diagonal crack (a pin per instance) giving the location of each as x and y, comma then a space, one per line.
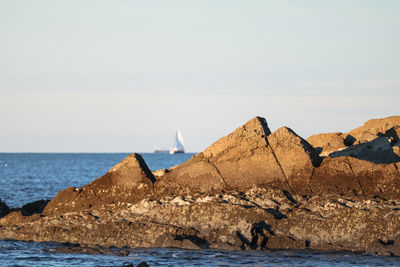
250, 156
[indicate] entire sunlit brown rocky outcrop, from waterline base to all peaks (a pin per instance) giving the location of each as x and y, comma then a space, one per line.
252, 189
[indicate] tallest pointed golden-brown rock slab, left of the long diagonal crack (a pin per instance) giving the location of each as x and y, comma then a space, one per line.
241, 159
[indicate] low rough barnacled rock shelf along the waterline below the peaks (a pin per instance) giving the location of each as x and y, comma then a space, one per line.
259, 218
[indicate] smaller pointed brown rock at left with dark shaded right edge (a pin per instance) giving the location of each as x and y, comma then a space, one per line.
127, 182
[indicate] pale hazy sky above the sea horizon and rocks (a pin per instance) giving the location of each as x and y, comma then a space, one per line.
121, 76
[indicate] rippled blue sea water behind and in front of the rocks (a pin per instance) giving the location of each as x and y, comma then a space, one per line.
26, 177
